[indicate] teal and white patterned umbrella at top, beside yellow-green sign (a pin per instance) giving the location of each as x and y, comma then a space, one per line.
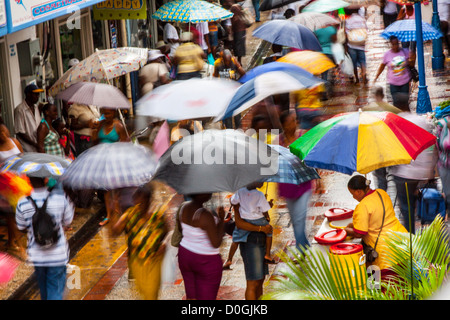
191, 11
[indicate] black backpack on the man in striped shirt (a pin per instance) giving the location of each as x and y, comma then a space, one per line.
45, 229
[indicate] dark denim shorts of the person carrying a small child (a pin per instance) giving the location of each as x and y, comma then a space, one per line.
252, 253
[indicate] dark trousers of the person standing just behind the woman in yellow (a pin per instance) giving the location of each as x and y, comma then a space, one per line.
403, 200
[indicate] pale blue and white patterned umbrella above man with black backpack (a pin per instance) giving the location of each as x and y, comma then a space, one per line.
35, 164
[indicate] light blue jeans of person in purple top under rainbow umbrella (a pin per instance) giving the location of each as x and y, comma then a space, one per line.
298, 209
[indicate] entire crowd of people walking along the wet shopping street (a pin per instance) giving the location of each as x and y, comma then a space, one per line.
182, 55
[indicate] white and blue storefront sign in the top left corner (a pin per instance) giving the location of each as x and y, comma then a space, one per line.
24, 13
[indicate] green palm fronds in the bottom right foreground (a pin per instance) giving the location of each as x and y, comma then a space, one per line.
314, 276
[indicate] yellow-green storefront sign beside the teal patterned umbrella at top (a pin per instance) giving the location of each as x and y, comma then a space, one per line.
120, 9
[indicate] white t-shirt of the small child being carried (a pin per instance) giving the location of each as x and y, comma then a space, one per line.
252, 203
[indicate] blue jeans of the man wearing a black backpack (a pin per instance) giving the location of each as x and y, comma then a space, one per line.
51, 281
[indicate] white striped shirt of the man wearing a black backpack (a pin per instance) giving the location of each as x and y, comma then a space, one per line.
62, 210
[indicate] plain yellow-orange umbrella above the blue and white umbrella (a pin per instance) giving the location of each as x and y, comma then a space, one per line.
312, 61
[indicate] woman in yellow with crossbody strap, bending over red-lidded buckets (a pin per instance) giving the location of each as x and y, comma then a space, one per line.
368, 220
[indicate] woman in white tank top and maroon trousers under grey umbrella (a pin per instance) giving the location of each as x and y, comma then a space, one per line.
198, 254
